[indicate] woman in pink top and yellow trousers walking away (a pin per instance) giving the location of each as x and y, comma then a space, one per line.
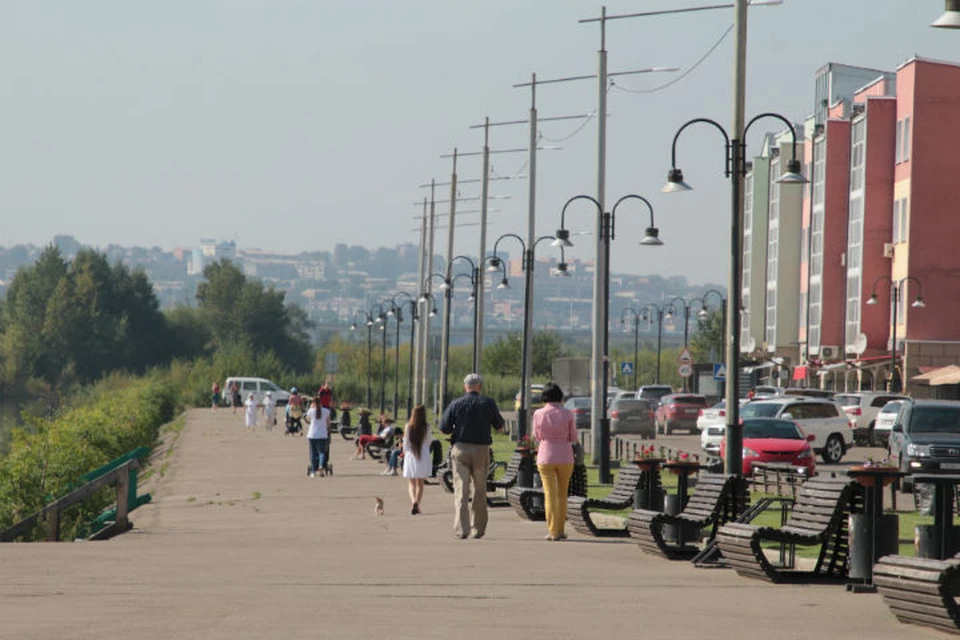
555, 430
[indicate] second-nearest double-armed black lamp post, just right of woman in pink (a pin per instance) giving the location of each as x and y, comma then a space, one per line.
606, 224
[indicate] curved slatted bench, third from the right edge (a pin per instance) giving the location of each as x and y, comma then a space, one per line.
716, 500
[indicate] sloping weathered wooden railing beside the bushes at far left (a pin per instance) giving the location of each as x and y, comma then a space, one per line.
118, 476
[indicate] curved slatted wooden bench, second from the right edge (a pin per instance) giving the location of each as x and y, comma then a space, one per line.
819, 517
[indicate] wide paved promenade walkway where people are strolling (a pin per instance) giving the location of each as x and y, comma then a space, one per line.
308, 558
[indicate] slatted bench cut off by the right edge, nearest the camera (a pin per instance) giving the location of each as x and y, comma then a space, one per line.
921, 590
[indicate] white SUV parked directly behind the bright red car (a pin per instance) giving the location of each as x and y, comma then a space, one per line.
822, 419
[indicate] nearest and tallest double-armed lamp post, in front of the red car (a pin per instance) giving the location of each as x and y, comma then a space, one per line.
735, 169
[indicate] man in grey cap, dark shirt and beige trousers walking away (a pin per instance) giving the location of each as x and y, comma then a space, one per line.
468, 420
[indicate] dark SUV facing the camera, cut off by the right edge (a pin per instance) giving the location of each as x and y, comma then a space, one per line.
926, 438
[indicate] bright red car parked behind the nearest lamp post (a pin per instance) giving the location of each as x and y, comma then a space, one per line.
774, 440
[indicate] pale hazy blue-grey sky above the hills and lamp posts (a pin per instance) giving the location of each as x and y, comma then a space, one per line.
292, 125
